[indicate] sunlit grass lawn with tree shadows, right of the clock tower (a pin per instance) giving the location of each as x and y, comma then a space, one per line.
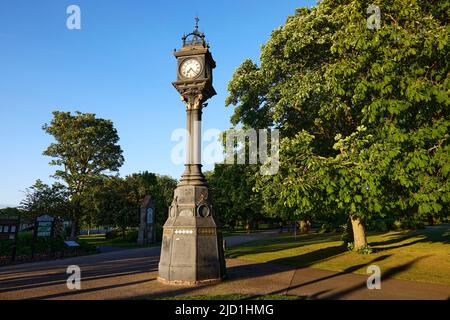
421, 255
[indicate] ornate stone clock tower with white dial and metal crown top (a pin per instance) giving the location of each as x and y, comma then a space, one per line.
192, 250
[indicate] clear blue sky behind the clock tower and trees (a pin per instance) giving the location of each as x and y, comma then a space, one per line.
119, 66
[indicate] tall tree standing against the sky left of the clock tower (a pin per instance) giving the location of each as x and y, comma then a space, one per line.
86, 147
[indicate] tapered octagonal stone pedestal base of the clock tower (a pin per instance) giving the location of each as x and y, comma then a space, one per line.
192, 251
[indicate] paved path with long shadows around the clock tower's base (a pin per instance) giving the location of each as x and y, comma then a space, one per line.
132, 273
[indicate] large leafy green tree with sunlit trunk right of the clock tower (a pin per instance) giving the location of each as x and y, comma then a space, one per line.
363, 113
